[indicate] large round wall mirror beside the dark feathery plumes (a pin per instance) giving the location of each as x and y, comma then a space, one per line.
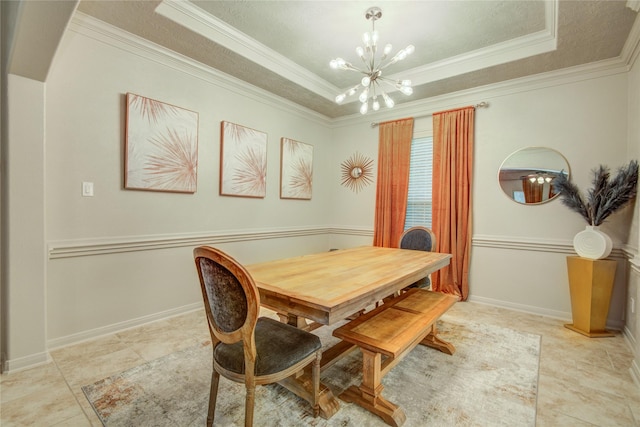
527, 175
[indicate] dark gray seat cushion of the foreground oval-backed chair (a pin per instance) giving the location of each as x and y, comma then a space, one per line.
278, 346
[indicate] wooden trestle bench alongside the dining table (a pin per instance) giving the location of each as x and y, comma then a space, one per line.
387, 334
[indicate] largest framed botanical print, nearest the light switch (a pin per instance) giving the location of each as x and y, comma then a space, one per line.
161, 152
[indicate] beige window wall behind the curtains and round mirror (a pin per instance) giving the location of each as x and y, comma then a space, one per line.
519, 252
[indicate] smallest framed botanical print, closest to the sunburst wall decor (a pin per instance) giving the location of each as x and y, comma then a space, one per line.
296, 169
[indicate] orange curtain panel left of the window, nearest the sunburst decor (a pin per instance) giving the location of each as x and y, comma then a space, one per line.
394, 155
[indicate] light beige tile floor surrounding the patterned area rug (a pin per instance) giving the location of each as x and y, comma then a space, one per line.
583, 381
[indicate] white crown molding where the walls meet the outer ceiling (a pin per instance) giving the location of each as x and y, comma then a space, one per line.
110, 35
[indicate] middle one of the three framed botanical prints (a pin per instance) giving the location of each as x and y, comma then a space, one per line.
243, 161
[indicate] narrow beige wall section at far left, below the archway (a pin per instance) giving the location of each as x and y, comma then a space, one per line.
24, 255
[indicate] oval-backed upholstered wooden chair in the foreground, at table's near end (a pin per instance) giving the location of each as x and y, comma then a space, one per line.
248, 348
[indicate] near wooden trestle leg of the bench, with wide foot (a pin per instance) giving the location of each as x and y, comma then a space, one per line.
368, 395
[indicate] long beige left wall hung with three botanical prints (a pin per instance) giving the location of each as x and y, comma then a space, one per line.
95, 293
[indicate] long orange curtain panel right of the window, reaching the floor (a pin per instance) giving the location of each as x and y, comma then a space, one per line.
453, 134
